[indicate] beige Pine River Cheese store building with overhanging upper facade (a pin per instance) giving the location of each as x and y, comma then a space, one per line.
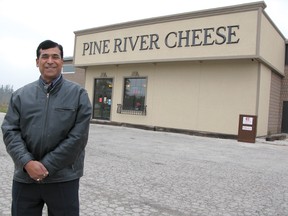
194, 72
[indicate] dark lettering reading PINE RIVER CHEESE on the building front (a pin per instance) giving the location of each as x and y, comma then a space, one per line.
211, 36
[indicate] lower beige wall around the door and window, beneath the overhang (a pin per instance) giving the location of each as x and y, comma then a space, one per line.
199, 96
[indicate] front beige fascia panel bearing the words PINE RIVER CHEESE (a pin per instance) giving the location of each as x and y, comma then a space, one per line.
243, 27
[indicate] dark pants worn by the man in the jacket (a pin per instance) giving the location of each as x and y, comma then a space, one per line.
62, 199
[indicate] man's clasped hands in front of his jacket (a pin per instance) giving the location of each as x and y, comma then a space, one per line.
36, 170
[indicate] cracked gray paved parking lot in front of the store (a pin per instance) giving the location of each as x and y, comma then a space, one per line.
133, 172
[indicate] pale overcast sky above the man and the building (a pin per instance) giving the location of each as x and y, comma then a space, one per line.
26, 23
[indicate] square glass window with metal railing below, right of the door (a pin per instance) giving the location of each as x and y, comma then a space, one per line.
134, 93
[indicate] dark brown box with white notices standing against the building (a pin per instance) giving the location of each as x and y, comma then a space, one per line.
247, 128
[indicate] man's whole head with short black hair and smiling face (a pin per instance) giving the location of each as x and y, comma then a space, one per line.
49, 60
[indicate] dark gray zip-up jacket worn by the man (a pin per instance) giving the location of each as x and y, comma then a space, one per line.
48, 127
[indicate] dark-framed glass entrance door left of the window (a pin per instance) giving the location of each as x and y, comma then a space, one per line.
102, 98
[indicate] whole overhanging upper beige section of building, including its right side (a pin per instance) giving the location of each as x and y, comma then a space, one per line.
252, 35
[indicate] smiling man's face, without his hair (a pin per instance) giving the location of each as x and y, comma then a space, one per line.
50, 63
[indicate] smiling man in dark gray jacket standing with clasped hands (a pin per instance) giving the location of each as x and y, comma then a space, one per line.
45, 132
